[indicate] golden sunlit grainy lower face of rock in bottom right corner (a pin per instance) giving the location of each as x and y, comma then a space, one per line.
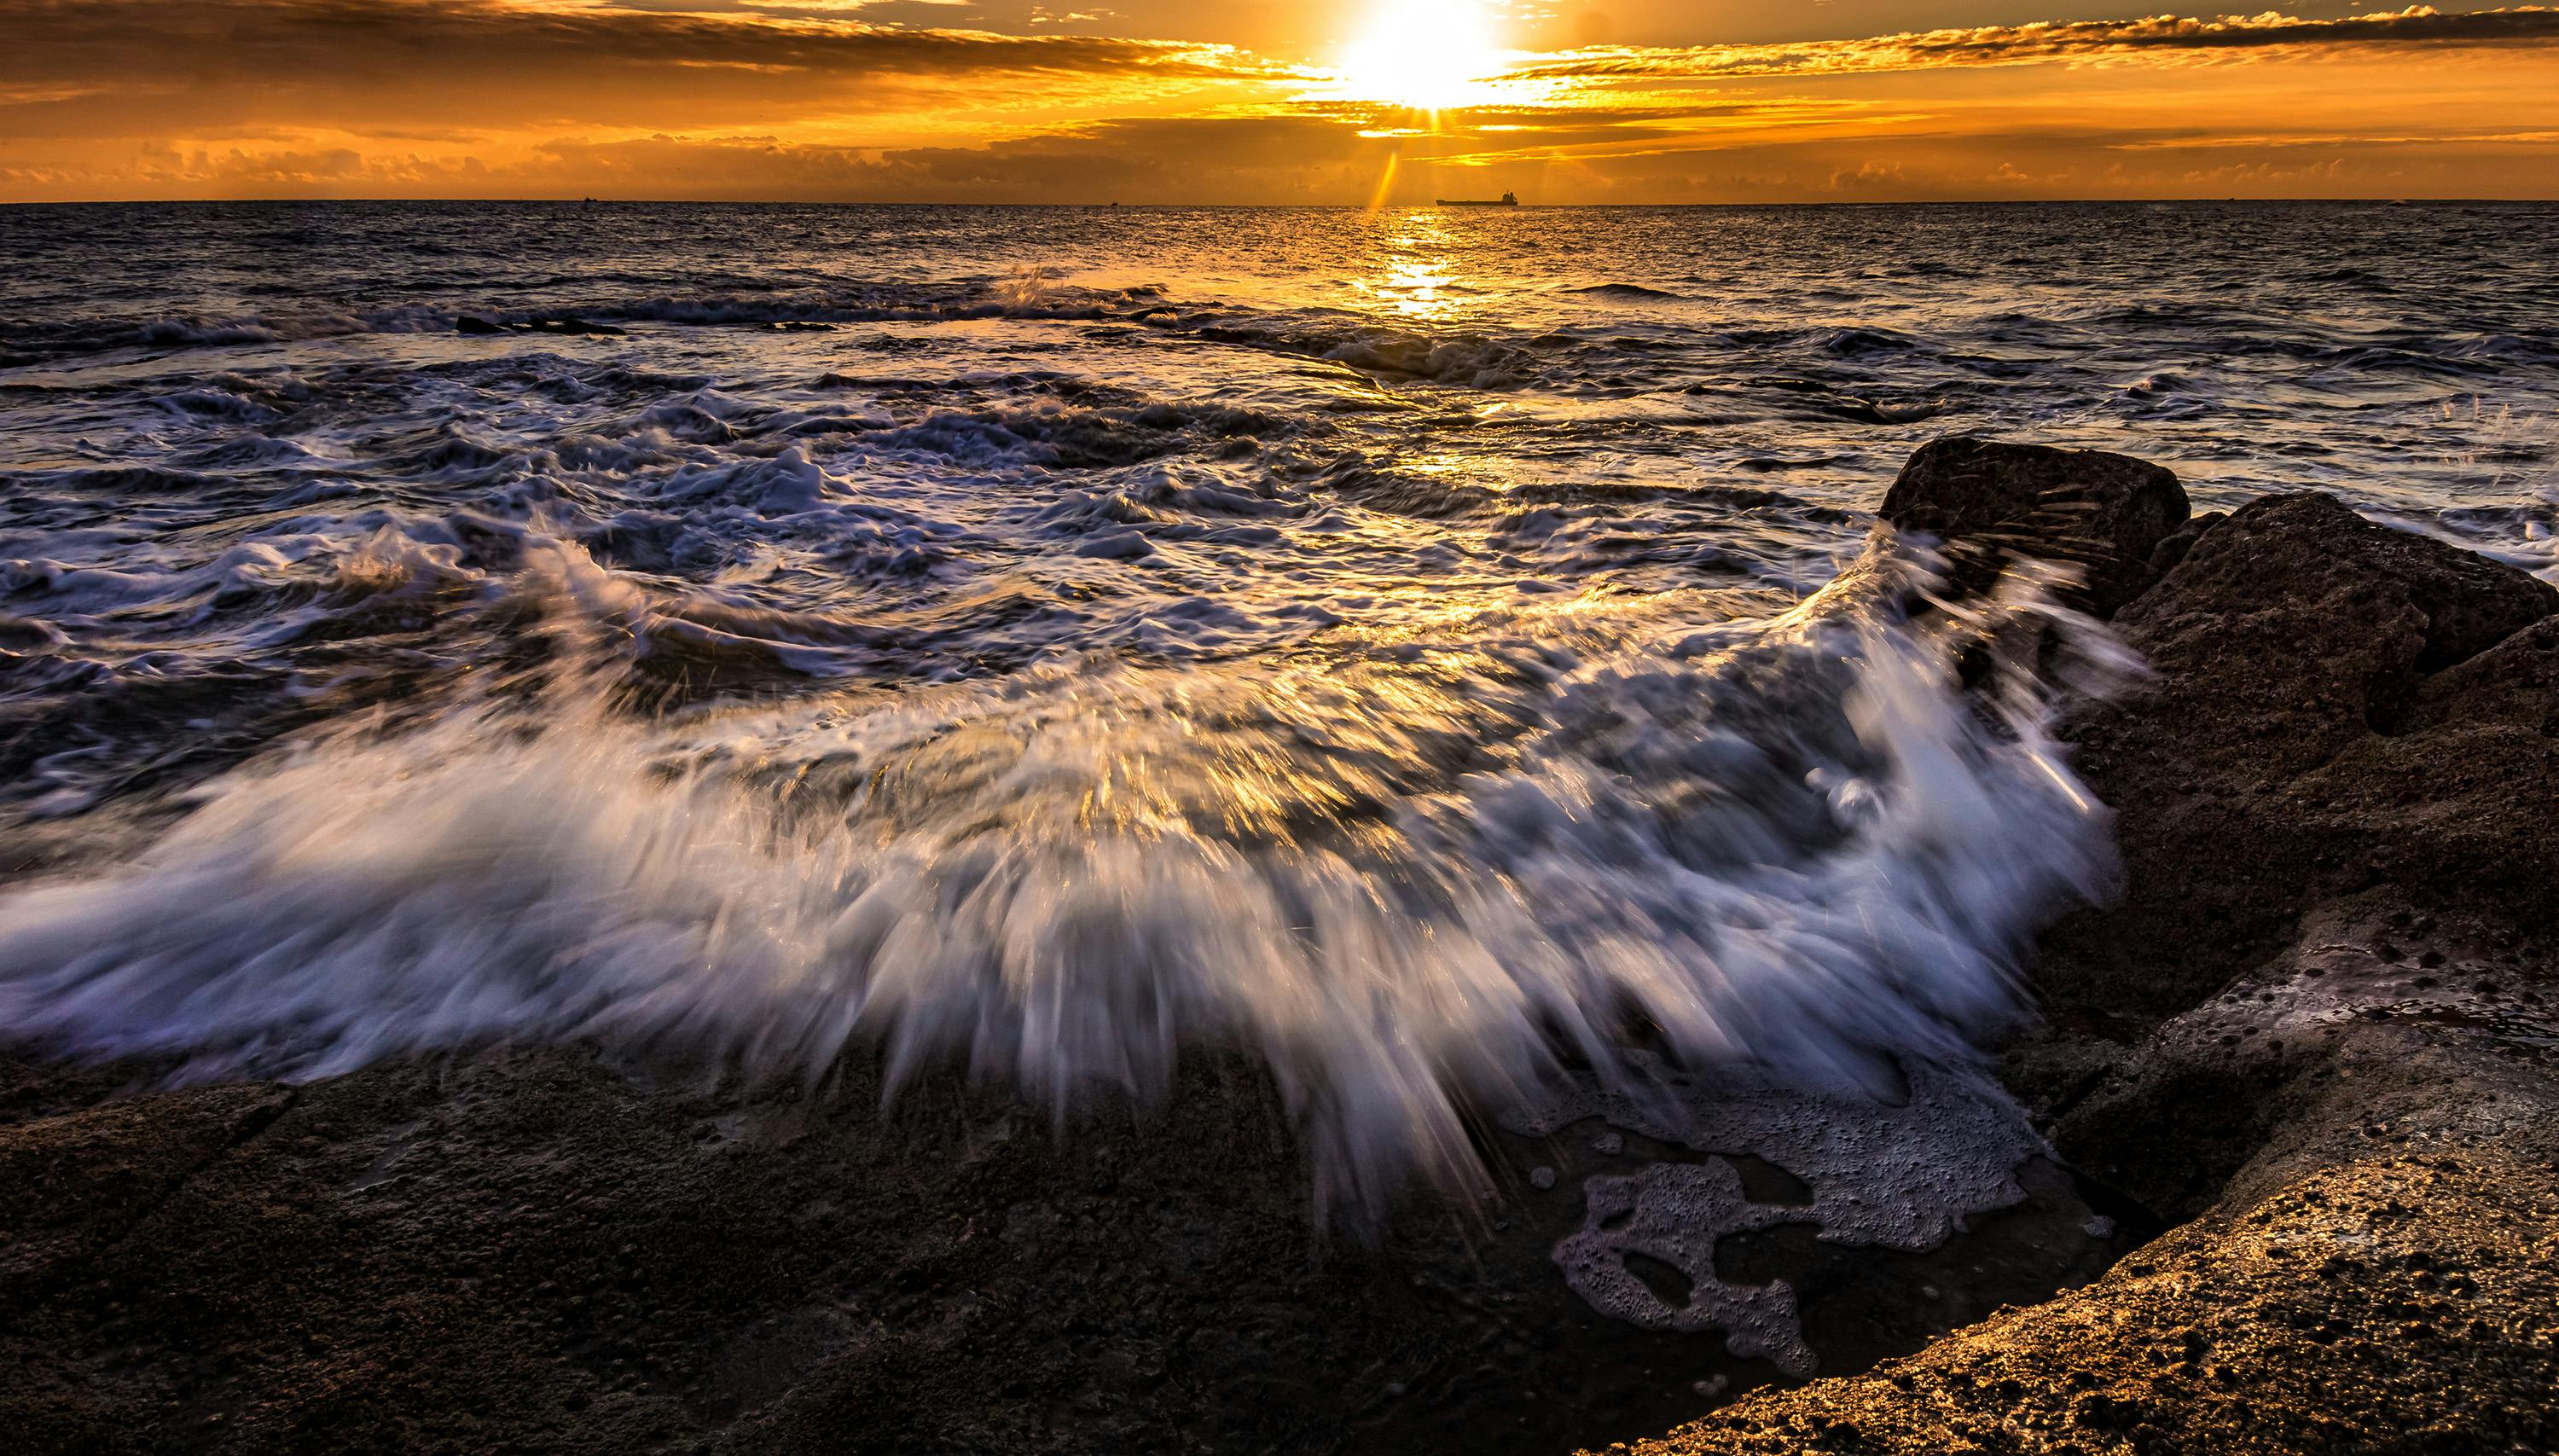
2274, 1386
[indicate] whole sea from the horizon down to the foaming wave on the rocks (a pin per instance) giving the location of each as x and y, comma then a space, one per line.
1061, 638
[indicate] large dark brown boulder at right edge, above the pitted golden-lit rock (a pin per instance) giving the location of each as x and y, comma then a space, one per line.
2338, 705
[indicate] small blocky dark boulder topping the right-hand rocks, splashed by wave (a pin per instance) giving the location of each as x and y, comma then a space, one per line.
1990, 500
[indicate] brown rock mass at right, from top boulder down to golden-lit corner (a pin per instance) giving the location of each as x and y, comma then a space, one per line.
2320, 1030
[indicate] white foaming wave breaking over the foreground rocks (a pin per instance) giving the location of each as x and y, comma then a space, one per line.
1411, 871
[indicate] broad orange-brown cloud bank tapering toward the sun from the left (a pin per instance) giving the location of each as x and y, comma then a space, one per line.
129, 68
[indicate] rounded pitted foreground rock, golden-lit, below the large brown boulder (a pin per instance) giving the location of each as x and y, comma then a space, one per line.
2373, 1260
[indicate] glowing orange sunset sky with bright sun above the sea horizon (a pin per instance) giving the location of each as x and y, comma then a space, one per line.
1268, 101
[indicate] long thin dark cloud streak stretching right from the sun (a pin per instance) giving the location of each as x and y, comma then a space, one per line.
2066, 42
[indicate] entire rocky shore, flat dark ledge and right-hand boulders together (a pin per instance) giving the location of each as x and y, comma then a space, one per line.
2299, 1081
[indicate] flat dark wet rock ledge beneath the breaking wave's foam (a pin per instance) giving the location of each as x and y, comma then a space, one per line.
546, 1253
